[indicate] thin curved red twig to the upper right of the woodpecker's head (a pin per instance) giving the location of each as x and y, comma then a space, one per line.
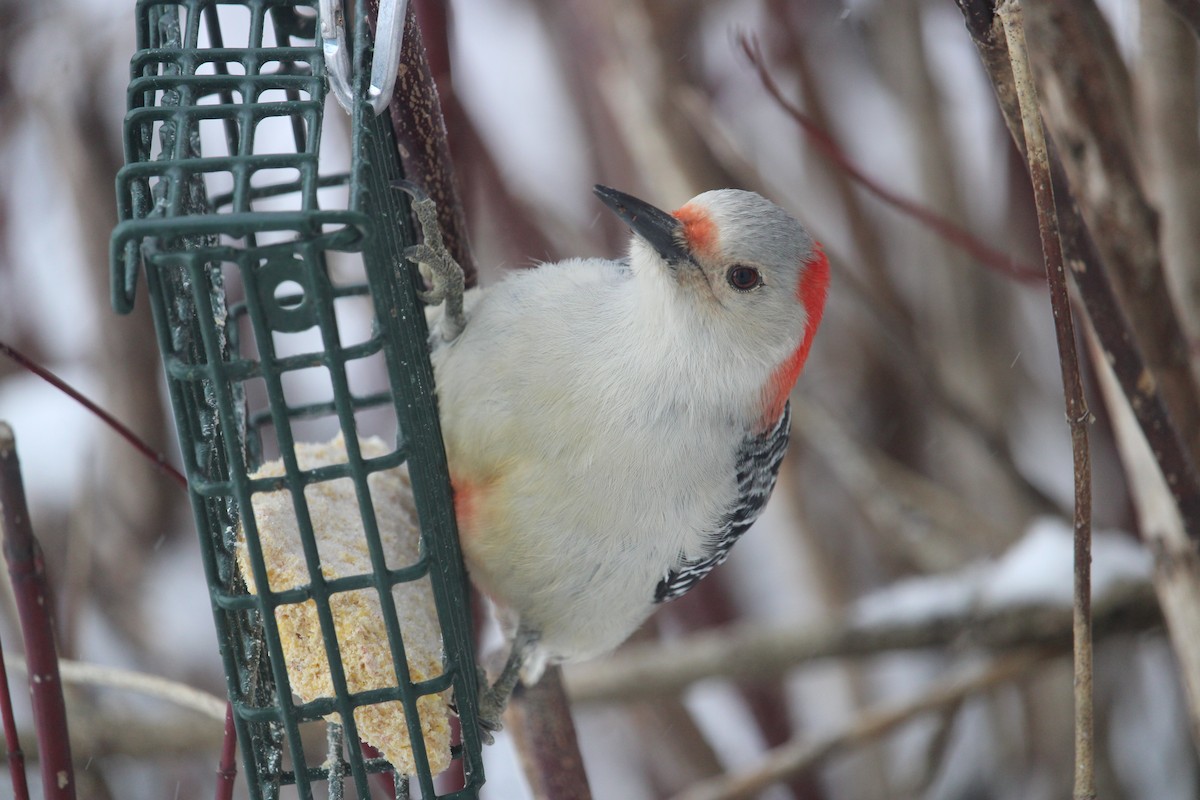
945, 228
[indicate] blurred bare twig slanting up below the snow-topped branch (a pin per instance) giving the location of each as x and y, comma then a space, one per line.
801, 756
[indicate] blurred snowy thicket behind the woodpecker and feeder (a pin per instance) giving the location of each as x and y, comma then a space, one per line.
931, 472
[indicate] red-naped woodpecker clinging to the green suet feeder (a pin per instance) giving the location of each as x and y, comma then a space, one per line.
613, 428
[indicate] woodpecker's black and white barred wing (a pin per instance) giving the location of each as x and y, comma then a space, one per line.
759, 461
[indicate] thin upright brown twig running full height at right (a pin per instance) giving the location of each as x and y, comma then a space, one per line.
1078, 416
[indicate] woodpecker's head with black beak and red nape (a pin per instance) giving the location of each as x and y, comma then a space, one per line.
745, 268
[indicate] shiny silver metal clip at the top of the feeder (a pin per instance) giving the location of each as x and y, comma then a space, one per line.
389, 35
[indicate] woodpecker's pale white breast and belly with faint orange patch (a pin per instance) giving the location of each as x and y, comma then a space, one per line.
595, 441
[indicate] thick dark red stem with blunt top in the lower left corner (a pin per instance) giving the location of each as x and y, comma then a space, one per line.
34, 610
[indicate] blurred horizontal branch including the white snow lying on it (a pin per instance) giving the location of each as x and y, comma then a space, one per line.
1019, 601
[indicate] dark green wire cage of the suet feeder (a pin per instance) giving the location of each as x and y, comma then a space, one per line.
281, 322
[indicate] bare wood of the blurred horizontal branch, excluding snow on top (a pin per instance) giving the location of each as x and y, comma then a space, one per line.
751, 653
